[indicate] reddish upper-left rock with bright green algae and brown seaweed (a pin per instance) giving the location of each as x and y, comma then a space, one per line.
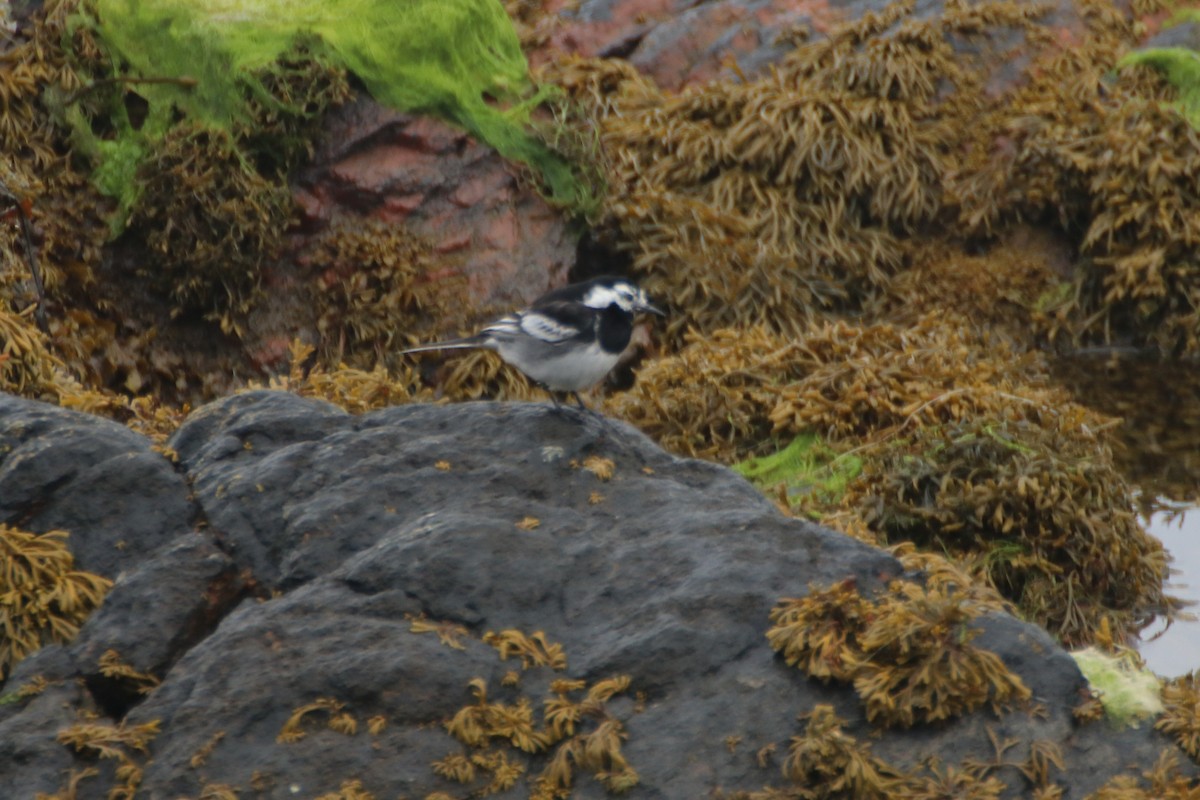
181, 237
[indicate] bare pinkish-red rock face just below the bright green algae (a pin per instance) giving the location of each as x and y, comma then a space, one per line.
442, 185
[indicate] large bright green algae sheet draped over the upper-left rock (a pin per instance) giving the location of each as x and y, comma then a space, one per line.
455, 59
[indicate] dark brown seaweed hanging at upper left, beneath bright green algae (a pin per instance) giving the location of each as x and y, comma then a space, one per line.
206, 203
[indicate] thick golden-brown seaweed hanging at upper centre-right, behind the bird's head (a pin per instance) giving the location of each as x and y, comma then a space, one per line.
781, 199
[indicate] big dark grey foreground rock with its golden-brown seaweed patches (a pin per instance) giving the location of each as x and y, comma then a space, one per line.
523, 601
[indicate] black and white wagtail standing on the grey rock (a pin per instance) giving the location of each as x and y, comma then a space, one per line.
569, 339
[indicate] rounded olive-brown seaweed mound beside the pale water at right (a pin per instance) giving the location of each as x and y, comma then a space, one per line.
1036, 510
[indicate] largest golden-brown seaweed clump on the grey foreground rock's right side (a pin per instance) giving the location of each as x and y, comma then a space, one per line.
909, 655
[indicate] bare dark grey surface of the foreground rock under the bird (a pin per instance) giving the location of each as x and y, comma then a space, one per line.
325, 536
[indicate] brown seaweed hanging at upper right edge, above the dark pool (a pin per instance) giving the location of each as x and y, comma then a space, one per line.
1111, 160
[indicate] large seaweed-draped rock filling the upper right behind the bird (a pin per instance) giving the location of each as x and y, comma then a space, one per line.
779, 196
